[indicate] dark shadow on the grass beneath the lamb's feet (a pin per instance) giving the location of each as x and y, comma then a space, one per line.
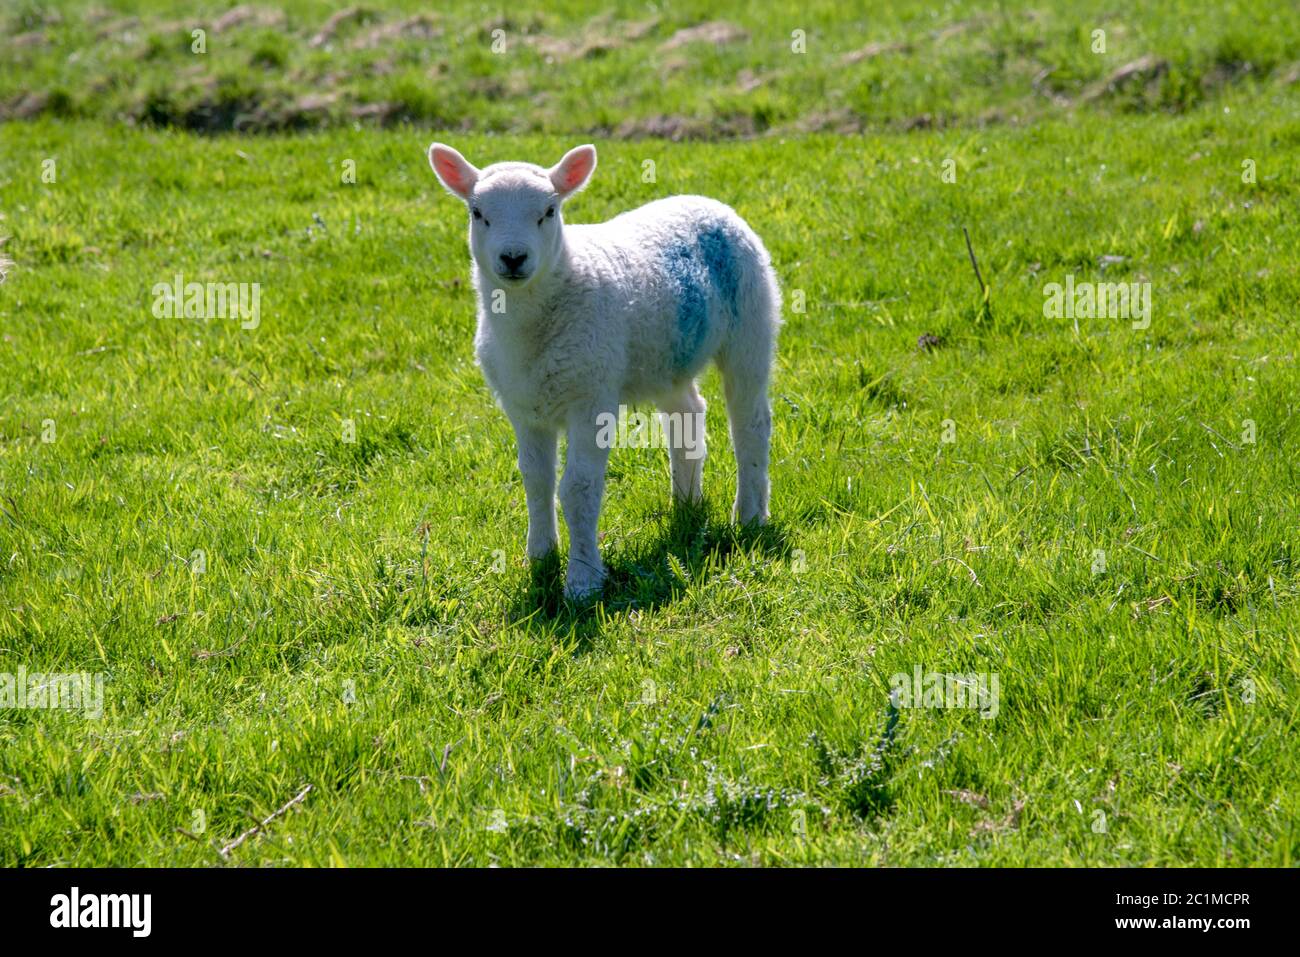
648, 573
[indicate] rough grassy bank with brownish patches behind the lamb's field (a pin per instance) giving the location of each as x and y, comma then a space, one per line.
629, 71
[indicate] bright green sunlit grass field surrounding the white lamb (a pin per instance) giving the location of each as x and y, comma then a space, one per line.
1104, 518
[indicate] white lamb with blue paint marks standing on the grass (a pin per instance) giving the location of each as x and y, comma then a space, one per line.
575, 322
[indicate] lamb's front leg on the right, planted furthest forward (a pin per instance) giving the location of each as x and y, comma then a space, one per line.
582, 491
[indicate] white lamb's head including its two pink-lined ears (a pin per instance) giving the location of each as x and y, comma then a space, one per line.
515, 224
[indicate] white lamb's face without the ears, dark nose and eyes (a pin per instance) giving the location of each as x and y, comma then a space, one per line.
514, 223
